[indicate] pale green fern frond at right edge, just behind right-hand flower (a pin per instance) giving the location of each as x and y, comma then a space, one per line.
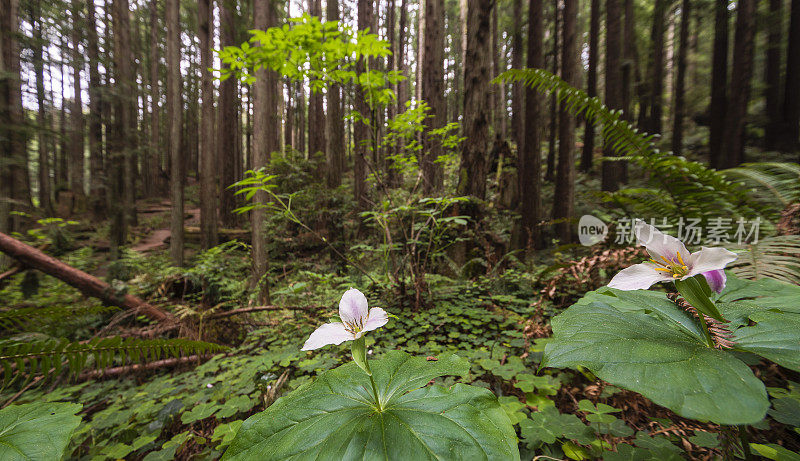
773, 257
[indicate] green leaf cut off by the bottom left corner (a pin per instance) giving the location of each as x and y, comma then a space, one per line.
37, 431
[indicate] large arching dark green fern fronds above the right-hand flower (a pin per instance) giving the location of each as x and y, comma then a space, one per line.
683, 188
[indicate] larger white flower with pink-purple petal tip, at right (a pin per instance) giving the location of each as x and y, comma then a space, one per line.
670, 260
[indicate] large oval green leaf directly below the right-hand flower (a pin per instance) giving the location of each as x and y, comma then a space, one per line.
657, 359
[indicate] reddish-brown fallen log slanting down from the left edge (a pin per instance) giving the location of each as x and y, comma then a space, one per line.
87, 284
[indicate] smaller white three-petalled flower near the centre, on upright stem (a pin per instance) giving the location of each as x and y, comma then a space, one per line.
357, 318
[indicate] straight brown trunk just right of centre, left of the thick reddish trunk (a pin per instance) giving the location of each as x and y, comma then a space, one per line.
433, 94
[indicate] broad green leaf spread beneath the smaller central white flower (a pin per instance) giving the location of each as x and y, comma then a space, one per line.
335, 417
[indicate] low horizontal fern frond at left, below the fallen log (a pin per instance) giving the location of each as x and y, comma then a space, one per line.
50, 357
